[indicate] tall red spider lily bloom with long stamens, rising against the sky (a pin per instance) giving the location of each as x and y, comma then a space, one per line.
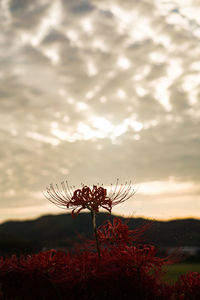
87, 198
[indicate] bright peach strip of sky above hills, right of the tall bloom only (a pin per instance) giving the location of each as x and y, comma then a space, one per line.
168, 195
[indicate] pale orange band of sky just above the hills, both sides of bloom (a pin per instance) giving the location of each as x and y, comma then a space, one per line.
153, 200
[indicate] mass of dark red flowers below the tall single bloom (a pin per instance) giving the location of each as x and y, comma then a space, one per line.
126, 270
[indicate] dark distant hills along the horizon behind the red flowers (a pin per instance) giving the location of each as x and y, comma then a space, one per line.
54, 231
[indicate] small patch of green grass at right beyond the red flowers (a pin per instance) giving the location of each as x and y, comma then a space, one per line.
174, 271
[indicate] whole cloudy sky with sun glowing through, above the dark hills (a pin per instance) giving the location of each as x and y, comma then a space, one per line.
92, 91
